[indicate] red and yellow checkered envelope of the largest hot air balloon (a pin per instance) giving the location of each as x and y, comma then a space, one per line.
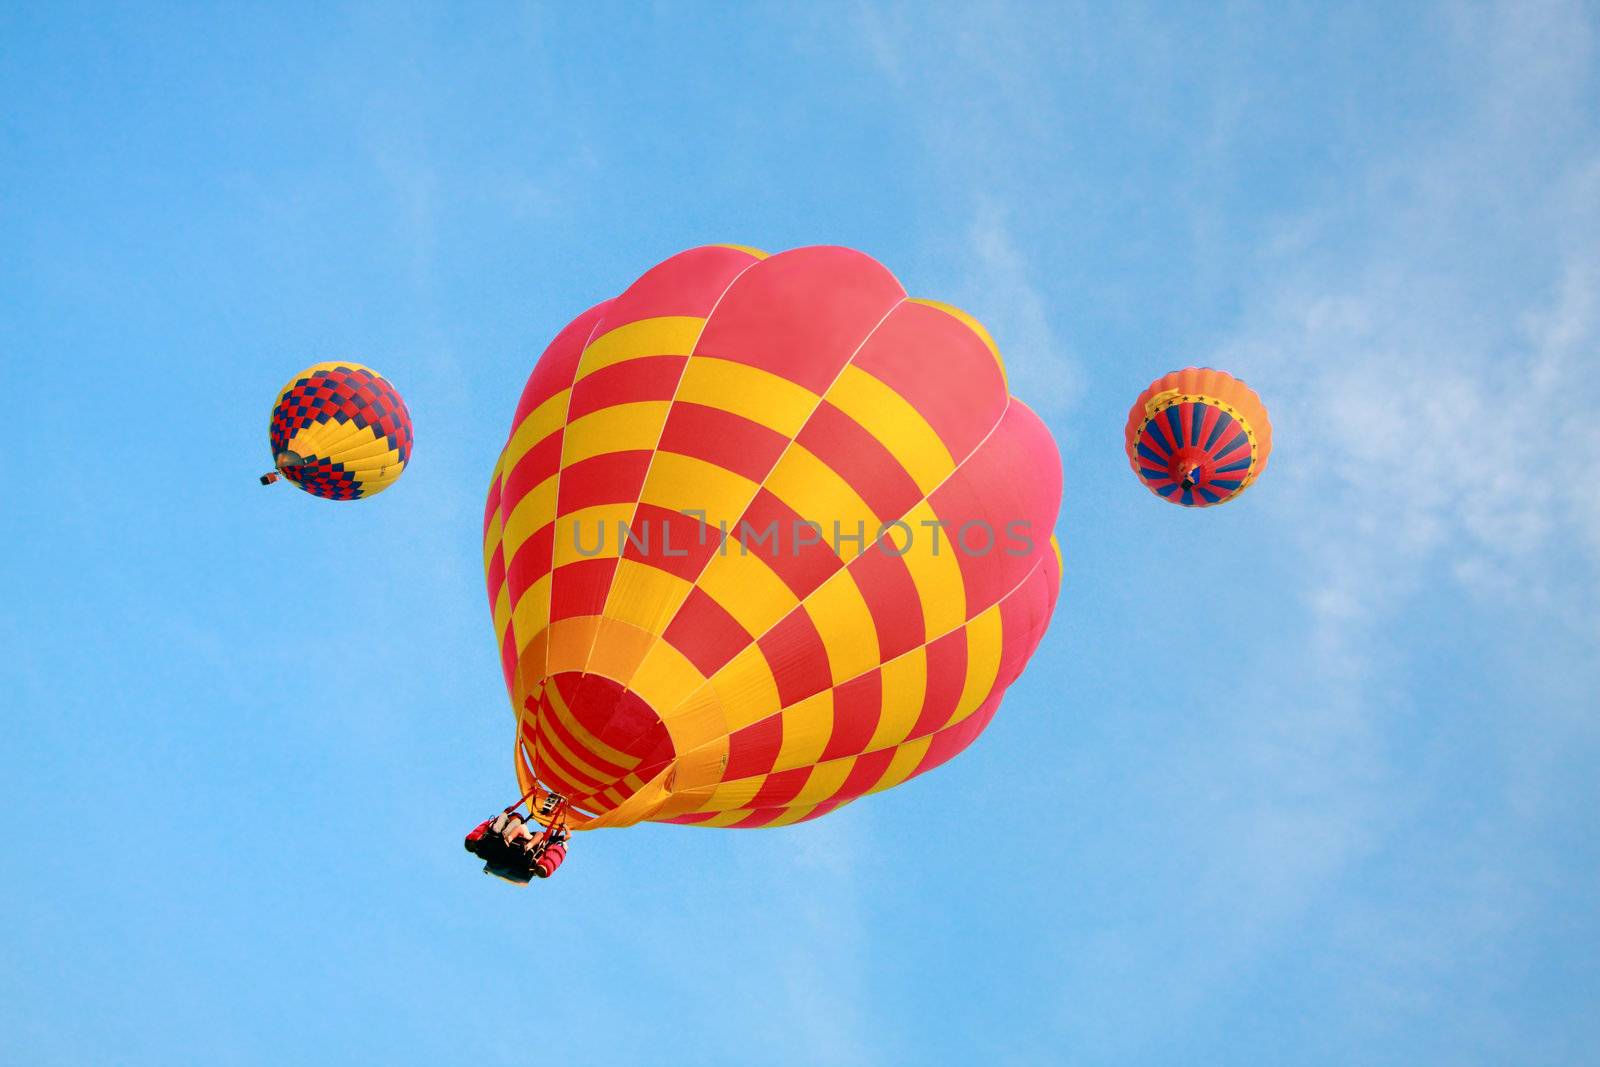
769, 535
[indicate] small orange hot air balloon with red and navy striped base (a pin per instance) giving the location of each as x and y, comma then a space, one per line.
1199, 438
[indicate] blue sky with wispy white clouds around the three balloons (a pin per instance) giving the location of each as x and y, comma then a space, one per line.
1310, 778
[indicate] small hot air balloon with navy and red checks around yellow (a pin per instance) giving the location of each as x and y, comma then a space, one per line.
340, 431
